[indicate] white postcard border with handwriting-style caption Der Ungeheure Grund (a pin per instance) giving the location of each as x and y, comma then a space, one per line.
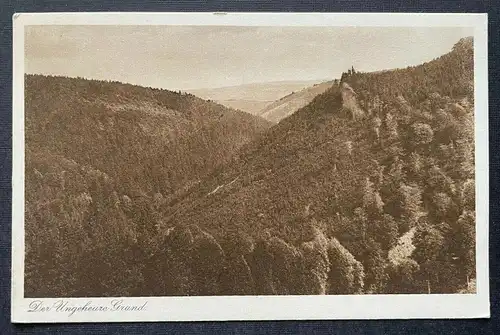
254, 307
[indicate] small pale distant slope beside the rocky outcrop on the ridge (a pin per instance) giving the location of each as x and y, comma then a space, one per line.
288, 104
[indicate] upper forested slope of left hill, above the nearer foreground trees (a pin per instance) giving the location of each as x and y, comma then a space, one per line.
130, 132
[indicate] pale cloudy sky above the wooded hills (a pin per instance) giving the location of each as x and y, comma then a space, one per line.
189, 57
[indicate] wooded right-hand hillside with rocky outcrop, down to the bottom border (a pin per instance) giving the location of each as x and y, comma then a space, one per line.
315, 205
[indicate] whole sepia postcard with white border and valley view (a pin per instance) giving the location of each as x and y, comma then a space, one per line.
229, 166
